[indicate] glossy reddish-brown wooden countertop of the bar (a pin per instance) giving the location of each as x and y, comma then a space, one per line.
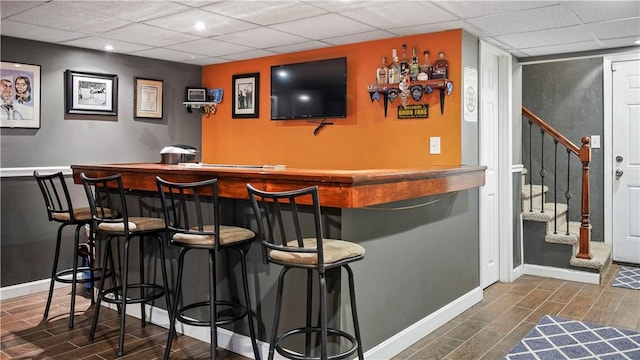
338, 188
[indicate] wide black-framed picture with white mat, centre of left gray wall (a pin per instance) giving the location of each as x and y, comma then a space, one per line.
91, 93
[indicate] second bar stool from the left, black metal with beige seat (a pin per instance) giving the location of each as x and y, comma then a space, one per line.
107, 193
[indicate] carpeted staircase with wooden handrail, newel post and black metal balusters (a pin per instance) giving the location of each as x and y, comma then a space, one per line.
549, 238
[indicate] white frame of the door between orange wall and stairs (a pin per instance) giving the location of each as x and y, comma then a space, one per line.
505, 158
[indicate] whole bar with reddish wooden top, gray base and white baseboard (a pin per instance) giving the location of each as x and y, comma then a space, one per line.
420, 229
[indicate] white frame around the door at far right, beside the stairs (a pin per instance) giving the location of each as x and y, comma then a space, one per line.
607, 63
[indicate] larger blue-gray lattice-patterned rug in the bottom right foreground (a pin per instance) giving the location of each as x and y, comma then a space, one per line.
556, 338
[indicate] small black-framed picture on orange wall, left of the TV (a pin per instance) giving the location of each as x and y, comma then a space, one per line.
246, 95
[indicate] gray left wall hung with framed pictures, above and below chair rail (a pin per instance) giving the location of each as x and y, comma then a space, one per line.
28, 239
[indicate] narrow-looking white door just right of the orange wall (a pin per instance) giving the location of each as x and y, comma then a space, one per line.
489, 157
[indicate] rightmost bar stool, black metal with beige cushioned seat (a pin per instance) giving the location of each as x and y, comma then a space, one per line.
294, 239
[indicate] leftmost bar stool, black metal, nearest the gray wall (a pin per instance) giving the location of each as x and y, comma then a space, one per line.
60, 209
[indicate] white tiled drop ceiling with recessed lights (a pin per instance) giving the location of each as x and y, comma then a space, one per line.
238, 30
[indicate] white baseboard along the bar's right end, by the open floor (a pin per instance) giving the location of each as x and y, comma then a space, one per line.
402, 340
